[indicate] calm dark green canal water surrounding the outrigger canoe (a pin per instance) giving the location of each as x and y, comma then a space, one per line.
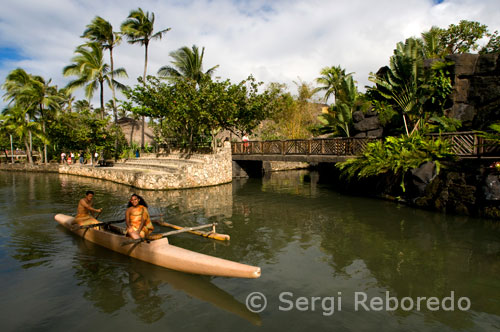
329, 262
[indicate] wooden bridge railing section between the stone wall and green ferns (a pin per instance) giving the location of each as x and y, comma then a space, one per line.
341, 146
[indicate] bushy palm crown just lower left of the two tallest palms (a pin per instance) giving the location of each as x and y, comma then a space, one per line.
93, 72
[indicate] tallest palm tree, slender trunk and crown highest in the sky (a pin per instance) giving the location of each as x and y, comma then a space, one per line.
138, 28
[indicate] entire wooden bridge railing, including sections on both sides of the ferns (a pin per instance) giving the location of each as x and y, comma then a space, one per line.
464, 144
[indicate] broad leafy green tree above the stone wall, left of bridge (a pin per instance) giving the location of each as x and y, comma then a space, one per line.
191, 111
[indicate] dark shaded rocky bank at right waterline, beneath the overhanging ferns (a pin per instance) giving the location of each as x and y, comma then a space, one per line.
466, 187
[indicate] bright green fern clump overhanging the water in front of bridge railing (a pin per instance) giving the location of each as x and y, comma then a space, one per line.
397, 155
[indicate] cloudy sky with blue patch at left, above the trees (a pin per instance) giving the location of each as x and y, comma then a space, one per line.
283, 41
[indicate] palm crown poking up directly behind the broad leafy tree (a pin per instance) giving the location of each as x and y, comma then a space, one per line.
187, 63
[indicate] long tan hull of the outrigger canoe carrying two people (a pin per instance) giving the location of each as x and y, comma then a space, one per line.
161, 253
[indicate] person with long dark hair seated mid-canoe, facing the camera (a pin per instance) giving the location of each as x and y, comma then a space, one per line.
137, 218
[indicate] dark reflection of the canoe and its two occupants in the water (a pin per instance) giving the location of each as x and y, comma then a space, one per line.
109, 278
